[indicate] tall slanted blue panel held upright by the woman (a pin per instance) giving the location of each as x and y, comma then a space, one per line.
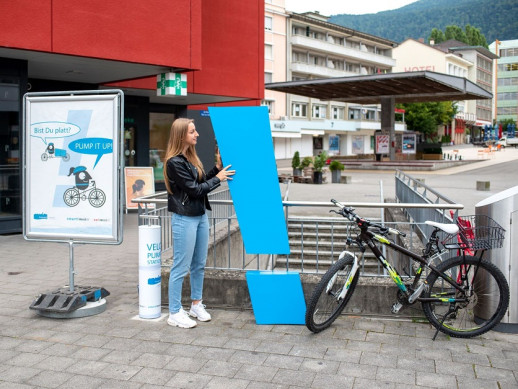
245, 141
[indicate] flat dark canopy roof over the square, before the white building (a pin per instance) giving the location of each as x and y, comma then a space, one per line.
403, 87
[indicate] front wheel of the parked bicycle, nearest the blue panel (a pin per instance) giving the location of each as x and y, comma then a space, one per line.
326, 302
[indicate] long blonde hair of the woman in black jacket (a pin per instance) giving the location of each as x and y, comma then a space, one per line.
176, 145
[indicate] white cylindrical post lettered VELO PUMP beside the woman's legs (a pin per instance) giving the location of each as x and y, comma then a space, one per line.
150, 285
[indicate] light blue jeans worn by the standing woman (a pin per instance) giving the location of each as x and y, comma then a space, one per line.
190, 244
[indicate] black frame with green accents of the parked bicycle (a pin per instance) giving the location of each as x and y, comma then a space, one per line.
369, 237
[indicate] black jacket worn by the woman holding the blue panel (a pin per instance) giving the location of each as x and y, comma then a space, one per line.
189, 196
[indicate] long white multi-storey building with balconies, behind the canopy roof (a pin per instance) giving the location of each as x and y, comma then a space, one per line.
316, 49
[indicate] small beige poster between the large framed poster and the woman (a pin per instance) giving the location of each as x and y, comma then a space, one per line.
138, 182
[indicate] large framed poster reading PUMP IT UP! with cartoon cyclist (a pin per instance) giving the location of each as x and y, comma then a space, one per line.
72, 176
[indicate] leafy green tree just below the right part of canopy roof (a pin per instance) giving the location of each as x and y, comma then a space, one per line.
425, 117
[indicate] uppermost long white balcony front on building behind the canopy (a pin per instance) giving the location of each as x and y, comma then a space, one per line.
334, 49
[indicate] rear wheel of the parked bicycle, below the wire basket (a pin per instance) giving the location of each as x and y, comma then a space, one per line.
486, 297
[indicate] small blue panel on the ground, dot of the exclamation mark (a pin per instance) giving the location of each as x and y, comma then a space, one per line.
277, 297
